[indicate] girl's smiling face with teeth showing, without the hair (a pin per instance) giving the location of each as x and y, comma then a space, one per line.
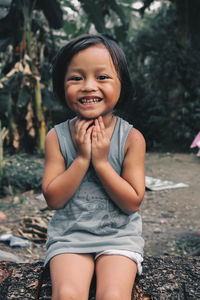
92, 86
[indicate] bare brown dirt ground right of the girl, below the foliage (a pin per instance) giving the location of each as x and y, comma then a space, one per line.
171, 218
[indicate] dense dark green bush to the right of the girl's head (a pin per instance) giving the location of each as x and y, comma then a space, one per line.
166, 75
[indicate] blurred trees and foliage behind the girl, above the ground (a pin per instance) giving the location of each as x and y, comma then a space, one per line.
160, 39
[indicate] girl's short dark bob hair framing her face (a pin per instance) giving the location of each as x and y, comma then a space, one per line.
64, 56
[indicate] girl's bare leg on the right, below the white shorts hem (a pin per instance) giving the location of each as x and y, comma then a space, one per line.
115, 277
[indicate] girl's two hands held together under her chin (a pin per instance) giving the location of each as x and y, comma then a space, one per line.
91, 141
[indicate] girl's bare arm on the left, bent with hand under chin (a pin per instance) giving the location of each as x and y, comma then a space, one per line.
59, 184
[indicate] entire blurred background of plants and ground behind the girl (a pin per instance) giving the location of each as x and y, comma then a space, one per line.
161, 40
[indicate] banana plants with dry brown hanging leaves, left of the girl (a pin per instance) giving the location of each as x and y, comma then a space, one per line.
25, 71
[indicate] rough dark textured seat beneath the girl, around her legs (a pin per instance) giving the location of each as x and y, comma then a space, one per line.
163, 278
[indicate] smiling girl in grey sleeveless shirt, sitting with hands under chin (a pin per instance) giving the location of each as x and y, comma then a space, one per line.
94, 176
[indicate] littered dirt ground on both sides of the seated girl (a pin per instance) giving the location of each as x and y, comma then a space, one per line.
170, 217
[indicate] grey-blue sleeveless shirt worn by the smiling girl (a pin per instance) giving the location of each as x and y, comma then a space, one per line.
90, 221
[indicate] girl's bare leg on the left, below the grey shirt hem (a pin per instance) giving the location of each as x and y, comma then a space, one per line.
71, 276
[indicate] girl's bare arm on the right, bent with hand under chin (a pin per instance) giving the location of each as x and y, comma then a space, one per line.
127, 190
